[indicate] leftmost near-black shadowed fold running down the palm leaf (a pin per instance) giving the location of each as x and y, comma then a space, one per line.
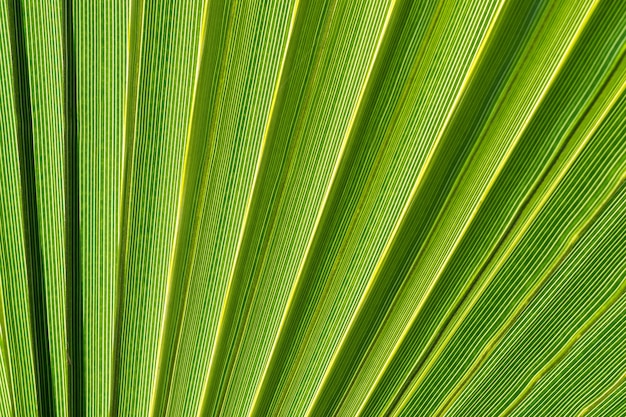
29, 139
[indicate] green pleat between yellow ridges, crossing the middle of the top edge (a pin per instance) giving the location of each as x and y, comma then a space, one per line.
281, 189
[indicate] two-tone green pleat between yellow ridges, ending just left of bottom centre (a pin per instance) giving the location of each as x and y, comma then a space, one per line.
359, 241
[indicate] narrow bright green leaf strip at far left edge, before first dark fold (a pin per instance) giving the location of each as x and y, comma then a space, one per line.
16, 324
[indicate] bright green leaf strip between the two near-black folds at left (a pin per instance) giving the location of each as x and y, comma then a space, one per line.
43, 40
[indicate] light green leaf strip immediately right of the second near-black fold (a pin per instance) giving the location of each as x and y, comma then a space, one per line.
100, 33
